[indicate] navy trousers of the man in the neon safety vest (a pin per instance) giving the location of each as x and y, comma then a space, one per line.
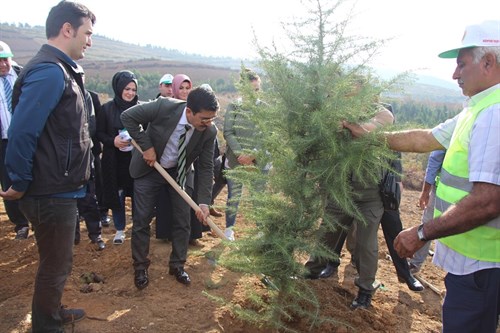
472, 302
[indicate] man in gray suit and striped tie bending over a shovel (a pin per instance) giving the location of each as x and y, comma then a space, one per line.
170, 122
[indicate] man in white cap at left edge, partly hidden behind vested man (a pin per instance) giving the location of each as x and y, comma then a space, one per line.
8, 76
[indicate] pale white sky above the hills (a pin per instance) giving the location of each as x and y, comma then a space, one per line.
420, 29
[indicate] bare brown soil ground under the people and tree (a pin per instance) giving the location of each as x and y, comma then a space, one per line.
167, 306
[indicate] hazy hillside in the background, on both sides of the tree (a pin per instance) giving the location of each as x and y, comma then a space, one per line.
108, 56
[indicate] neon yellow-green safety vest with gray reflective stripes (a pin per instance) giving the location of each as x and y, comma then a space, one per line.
483, 242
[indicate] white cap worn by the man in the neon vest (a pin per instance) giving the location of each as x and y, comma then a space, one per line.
484, 34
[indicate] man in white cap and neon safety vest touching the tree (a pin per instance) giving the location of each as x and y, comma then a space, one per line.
466, 223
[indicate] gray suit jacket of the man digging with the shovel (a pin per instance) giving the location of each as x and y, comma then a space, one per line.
162, 116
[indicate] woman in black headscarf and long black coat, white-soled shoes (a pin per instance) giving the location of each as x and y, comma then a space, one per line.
117, 148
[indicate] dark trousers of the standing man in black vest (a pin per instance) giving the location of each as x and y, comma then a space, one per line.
53, 220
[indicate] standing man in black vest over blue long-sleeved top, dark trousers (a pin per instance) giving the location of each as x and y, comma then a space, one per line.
48, 155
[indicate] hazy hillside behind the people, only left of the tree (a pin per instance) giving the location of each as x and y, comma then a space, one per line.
108, 56
